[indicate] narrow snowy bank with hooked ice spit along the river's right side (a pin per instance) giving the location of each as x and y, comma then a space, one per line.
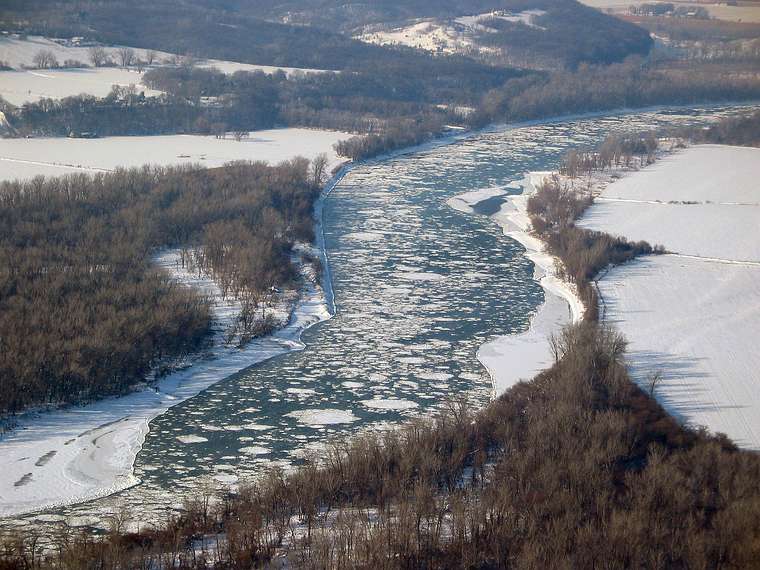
510, 359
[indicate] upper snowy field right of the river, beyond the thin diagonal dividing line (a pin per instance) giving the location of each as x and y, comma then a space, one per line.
681, 203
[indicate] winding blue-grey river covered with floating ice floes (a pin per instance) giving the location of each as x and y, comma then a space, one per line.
419, 287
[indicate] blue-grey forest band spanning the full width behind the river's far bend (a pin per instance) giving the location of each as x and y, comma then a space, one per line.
390, 108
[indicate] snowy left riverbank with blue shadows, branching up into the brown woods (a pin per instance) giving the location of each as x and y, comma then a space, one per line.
82, 453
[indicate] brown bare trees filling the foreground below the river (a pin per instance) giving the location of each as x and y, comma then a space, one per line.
578, 468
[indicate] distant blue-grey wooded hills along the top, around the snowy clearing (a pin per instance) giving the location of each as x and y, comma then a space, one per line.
319, 33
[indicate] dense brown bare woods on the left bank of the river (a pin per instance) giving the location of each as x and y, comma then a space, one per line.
83, 311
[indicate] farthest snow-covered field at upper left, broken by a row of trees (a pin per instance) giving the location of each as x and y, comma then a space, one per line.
30, 85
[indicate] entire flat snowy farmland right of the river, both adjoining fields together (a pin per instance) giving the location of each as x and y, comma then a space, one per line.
691, 316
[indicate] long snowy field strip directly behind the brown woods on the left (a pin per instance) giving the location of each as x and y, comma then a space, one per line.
25, 158
